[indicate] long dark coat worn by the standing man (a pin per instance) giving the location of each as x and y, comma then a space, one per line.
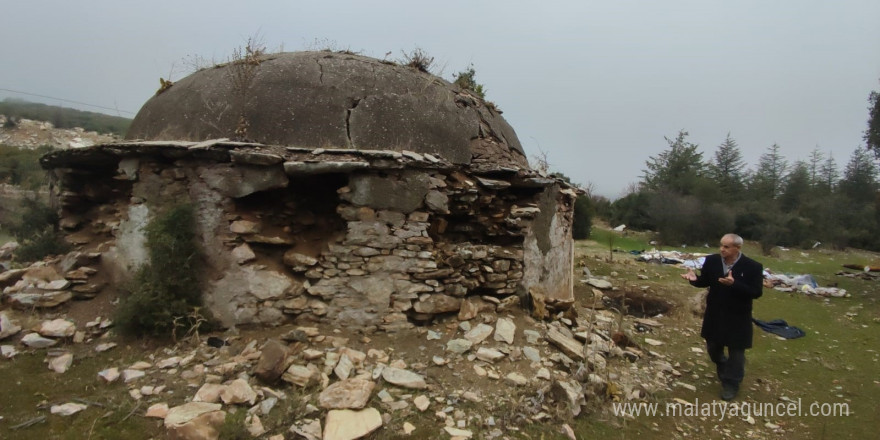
728, 317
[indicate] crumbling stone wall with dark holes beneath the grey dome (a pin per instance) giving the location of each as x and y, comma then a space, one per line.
361, 238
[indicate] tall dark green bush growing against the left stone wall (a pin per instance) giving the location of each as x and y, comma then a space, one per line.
165, 294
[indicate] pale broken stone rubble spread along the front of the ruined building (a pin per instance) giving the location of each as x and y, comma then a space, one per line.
347, 386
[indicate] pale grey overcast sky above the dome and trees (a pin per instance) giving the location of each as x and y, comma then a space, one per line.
594, 85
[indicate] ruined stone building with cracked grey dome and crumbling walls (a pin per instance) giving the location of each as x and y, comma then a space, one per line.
328, 186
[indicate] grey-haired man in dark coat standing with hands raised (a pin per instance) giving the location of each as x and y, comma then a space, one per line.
734, 280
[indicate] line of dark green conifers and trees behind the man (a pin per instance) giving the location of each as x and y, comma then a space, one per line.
687, 198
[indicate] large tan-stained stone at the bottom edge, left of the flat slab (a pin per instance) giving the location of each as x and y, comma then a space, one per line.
194, 420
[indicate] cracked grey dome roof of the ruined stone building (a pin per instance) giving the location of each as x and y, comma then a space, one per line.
330, 100
